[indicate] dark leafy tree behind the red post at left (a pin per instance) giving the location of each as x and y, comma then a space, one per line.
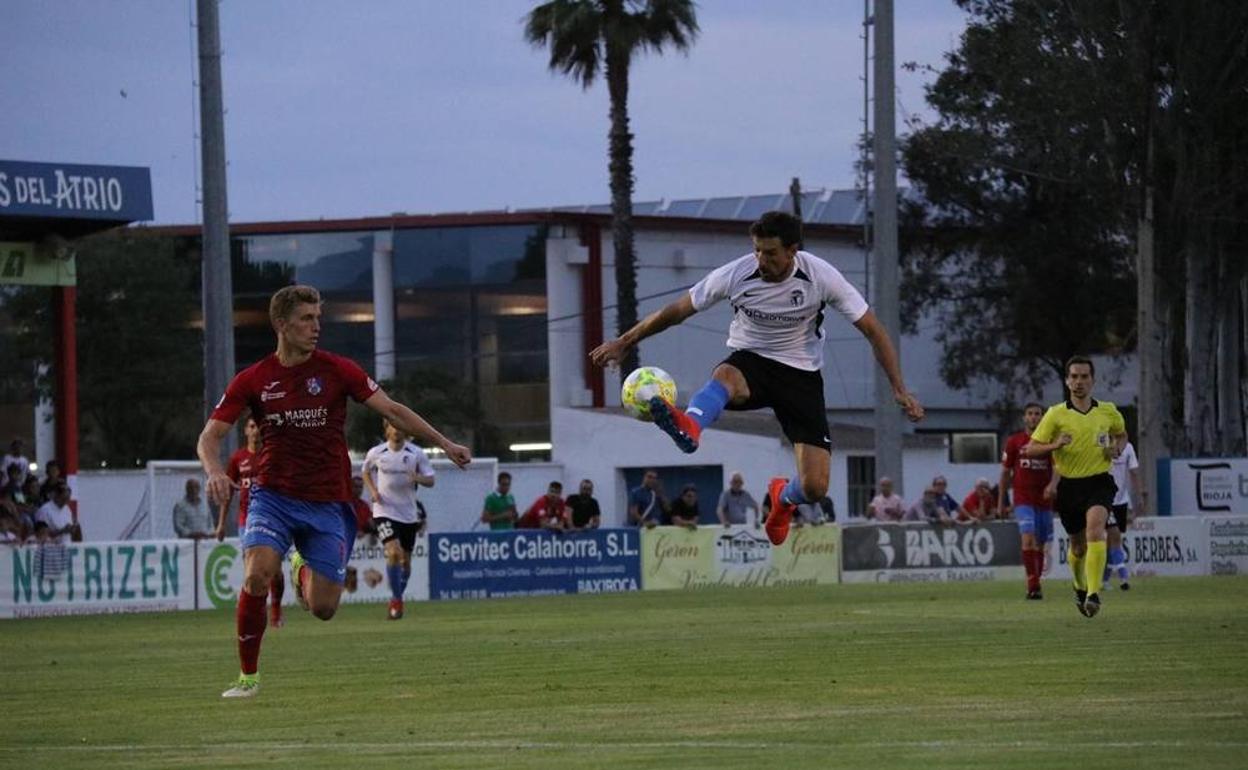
139, 356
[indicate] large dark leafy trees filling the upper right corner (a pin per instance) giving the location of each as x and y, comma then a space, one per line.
1071, 140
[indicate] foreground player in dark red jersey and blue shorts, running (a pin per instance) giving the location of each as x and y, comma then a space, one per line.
301, 491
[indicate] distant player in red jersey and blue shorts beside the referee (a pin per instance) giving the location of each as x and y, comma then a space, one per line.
1033, 502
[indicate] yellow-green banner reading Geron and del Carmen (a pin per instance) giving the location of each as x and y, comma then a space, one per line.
709, 557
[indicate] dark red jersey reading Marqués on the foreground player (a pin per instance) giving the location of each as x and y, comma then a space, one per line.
303, 412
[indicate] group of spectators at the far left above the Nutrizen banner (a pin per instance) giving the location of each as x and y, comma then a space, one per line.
33, 510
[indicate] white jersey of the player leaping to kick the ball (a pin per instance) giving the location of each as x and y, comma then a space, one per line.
782, 321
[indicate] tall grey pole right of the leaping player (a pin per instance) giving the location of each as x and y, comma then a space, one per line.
888, 417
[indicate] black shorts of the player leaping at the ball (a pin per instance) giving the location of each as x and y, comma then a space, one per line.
797, 396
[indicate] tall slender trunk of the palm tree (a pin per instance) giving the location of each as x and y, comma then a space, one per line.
622, 200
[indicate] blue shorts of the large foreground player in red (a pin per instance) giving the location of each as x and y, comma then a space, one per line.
324, 532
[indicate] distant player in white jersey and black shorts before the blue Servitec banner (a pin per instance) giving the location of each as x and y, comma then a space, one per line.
394, 470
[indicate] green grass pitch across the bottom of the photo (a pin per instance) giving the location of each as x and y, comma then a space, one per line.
873, 677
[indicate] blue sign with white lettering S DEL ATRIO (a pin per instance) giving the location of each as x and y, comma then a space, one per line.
68, 192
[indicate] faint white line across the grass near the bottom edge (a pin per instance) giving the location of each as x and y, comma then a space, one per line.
631, 747
